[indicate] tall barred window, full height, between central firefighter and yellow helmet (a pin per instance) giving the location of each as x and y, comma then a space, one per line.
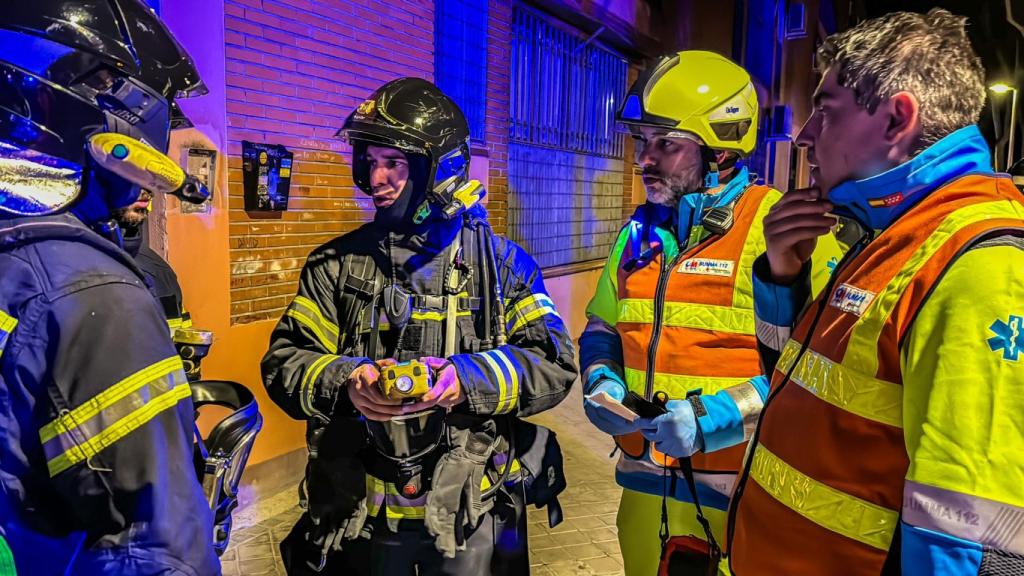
566, 164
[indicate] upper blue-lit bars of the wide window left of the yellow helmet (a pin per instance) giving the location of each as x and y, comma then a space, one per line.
565, 91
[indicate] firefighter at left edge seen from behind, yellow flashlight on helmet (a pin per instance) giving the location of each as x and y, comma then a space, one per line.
97, 456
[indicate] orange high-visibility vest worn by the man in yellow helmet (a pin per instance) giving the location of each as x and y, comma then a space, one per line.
700, 332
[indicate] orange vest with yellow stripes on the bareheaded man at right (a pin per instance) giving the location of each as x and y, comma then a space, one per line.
825, 486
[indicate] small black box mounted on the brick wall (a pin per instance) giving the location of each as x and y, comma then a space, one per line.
267, 177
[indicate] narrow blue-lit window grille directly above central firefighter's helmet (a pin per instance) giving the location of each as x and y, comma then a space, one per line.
461, 59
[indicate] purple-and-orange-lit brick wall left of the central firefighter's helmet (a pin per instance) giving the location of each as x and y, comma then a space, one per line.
295, 70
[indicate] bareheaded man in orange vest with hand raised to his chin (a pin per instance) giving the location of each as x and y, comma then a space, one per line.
911, 358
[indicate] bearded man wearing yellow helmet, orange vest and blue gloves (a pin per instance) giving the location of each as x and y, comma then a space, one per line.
671, 336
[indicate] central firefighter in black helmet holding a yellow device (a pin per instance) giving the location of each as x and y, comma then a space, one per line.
435, 484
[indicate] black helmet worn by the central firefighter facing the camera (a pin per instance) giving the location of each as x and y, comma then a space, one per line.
414, 116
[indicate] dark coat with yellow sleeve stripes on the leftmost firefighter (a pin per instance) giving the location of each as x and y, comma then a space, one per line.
97, 473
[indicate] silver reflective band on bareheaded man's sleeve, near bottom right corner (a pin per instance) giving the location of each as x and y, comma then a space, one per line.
988, 522
